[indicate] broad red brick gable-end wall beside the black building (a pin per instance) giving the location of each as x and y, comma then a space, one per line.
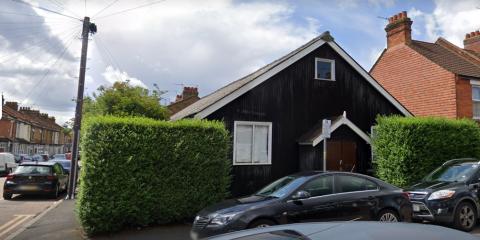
423, 87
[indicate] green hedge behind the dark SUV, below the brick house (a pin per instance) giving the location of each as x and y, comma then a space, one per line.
408, 148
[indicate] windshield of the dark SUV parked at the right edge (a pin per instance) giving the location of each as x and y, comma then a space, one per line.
458, 172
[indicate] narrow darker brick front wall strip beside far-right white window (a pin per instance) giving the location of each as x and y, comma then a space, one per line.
464, 98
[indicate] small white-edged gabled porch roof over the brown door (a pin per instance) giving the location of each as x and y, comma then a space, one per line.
315, 135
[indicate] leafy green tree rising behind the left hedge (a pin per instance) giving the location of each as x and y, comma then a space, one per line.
123, 99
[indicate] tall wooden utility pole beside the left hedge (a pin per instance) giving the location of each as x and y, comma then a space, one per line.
78, 111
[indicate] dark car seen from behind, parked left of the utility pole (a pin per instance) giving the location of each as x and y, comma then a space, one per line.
36, 178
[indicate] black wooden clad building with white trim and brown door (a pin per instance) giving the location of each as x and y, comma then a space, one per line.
275, 115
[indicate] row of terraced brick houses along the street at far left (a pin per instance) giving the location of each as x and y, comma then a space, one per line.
28, 131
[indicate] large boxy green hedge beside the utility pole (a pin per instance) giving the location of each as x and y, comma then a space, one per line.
138, 171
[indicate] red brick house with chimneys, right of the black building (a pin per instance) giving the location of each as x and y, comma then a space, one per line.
430, 79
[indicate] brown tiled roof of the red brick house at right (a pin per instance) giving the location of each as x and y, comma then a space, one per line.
447, 58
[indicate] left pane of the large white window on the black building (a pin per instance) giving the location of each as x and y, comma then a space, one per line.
243, 144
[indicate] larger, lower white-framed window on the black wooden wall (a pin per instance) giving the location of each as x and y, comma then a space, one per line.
252, 143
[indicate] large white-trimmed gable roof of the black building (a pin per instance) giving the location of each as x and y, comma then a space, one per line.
212, 102
